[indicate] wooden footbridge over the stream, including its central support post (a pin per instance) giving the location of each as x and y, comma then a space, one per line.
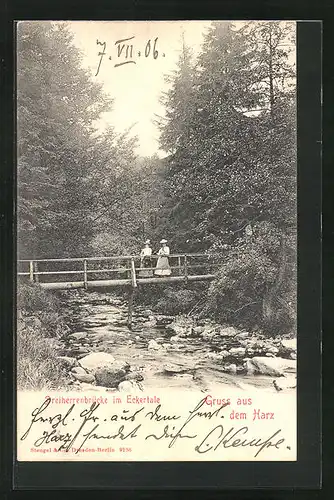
115, 271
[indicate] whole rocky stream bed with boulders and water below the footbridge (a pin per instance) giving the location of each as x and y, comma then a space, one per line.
100, 353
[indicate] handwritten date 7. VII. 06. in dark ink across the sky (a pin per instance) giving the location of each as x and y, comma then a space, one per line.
125, 51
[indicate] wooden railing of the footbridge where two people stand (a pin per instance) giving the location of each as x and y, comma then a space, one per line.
122, 269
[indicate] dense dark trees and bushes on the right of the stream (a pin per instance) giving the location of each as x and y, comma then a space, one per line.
231, 172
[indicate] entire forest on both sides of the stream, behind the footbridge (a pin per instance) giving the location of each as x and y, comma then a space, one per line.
225, 186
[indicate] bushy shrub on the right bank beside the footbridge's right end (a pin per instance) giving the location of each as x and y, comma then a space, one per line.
244, 278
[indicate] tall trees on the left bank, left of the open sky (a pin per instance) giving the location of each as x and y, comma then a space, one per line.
57, 106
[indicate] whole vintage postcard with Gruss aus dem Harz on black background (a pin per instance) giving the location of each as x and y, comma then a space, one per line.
156, 240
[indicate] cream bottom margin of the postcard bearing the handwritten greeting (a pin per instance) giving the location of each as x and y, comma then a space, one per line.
149, 428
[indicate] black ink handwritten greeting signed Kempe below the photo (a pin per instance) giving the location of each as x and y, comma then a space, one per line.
175, 428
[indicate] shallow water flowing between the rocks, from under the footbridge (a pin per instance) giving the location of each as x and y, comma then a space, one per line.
99, 321
